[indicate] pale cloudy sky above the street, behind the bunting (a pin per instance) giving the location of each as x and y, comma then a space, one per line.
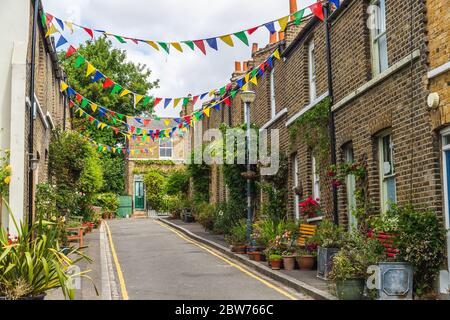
177, 20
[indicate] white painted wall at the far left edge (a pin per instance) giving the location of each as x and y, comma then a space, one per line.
14, 34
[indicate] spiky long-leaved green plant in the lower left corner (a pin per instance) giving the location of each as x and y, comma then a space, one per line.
33, 263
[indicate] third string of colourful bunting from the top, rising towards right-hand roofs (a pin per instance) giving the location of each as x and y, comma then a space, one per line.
240, 83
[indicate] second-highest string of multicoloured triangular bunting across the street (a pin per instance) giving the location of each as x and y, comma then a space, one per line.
116, 89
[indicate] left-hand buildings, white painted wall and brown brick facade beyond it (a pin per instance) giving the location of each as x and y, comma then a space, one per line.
50, 109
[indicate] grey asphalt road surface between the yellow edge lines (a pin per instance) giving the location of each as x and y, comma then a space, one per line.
159, 264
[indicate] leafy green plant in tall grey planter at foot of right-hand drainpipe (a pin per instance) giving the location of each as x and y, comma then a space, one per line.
329, 238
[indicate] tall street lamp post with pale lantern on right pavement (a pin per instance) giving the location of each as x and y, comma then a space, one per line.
248, 97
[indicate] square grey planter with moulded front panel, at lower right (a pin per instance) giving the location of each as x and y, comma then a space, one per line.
395, 281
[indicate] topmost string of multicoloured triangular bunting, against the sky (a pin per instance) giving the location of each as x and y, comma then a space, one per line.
200, 44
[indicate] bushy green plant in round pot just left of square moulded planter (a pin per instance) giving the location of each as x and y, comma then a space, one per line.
350, 265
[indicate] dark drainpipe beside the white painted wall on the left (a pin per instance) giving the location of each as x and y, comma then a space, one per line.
32, 112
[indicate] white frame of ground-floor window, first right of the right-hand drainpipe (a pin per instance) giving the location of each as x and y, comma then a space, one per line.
383, 189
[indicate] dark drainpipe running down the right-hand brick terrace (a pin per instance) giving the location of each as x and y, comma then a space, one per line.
326, 11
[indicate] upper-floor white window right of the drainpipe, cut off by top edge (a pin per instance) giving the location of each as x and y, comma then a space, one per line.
377, 31
